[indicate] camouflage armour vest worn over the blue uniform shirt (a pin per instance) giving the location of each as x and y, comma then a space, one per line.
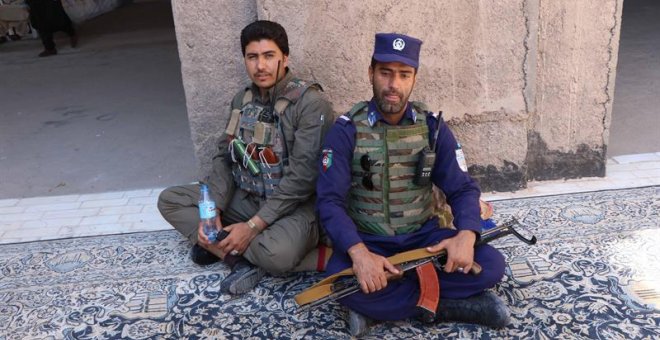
395, 205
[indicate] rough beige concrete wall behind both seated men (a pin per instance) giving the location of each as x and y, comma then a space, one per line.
526, 85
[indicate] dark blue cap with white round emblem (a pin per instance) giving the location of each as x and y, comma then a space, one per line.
394, 47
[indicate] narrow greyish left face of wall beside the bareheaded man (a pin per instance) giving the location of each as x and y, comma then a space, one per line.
207, 34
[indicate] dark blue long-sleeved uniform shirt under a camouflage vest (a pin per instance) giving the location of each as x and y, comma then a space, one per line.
334, 181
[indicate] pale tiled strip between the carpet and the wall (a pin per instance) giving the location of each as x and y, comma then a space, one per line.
53, 217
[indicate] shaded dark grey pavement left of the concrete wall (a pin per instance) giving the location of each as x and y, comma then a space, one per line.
109, 115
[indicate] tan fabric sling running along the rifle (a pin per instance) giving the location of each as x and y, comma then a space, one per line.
324, 287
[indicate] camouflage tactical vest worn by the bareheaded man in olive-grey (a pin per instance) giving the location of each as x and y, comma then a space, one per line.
254, 120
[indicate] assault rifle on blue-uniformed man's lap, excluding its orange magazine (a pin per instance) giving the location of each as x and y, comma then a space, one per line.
327, 290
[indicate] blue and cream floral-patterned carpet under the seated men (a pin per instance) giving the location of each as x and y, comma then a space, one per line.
595, 273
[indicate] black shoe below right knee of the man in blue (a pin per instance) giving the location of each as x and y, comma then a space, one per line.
483, 309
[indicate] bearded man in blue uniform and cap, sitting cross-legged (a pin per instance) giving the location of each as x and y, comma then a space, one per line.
375, 200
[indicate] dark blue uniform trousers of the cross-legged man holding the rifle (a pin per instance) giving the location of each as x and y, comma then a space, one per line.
397, 301
